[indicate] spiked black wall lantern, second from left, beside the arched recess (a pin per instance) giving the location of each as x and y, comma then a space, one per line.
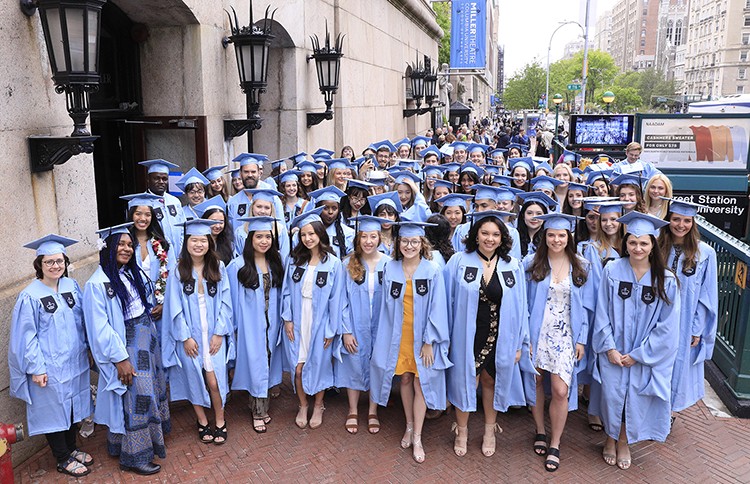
251, 45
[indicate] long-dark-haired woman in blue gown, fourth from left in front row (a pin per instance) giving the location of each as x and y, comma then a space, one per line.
255, 279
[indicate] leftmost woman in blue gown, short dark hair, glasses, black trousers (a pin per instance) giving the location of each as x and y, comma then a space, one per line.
47, 355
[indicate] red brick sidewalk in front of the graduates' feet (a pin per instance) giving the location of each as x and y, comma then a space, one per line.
702, 449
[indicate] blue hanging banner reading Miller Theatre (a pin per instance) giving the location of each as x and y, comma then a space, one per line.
468, 34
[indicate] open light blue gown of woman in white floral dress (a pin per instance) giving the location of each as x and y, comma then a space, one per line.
582, 310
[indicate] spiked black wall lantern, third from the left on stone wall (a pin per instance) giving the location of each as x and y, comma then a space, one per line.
328, 67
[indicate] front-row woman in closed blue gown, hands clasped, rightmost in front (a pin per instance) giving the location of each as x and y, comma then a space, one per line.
636, 336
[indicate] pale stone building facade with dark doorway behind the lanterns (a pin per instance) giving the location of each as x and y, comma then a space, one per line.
167, 86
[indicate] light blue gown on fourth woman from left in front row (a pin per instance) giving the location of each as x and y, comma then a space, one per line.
255, 336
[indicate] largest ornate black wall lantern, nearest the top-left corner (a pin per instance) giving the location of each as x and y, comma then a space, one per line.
71, 32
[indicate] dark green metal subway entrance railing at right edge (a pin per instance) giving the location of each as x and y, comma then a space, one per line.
732, 350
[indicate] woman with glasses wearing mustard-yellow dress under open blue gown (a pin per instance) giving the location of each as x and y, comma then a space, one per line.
412, 339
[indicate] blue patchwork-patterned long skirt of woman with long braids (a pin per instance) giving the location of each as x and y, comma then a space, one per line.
145, 402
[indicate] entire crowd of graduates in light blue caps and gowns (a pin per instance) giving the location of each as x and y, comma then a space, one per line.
457, 266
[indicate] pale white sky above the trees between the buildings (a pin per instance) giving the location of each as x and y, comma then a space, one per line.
526, 26
